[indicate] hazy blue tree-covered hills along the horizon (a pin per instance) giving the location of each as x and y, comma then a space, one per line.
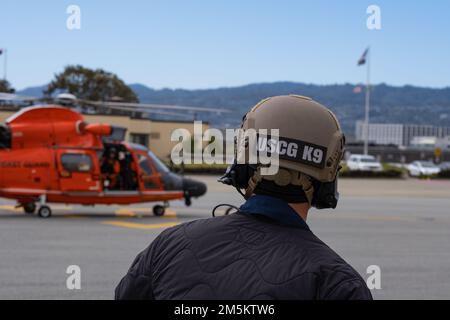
405, 104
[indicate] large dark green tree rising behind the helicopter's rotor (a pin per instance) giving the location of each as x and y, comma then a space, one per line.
89, 84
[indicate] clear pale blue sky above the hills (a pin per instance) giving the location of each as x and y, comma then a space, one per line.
206, 44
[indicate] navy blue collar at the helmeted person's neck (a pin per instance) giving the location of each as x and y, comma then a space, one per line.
273, 208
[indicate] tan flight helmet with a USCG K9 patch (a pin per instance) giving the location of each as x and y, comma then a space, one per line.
310, 130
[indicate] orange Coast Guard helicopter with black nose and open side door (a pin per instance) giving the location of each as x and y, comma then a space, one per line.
49, 154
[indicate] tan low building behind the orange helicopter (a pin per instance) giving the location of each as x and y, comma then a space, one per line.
154, 134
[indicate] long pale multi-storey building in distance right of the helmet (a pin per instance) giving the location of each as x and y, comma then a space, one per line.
398, 134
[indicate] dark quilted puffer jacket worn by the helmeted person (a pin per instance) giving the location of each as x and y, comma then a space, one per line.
240, 256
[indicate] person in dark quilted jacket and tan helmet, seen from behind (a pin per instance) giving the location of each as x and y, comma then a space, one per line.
265, 250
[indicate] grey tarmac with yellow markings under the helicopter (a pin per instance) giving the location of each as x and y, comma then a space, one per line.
402, 226
